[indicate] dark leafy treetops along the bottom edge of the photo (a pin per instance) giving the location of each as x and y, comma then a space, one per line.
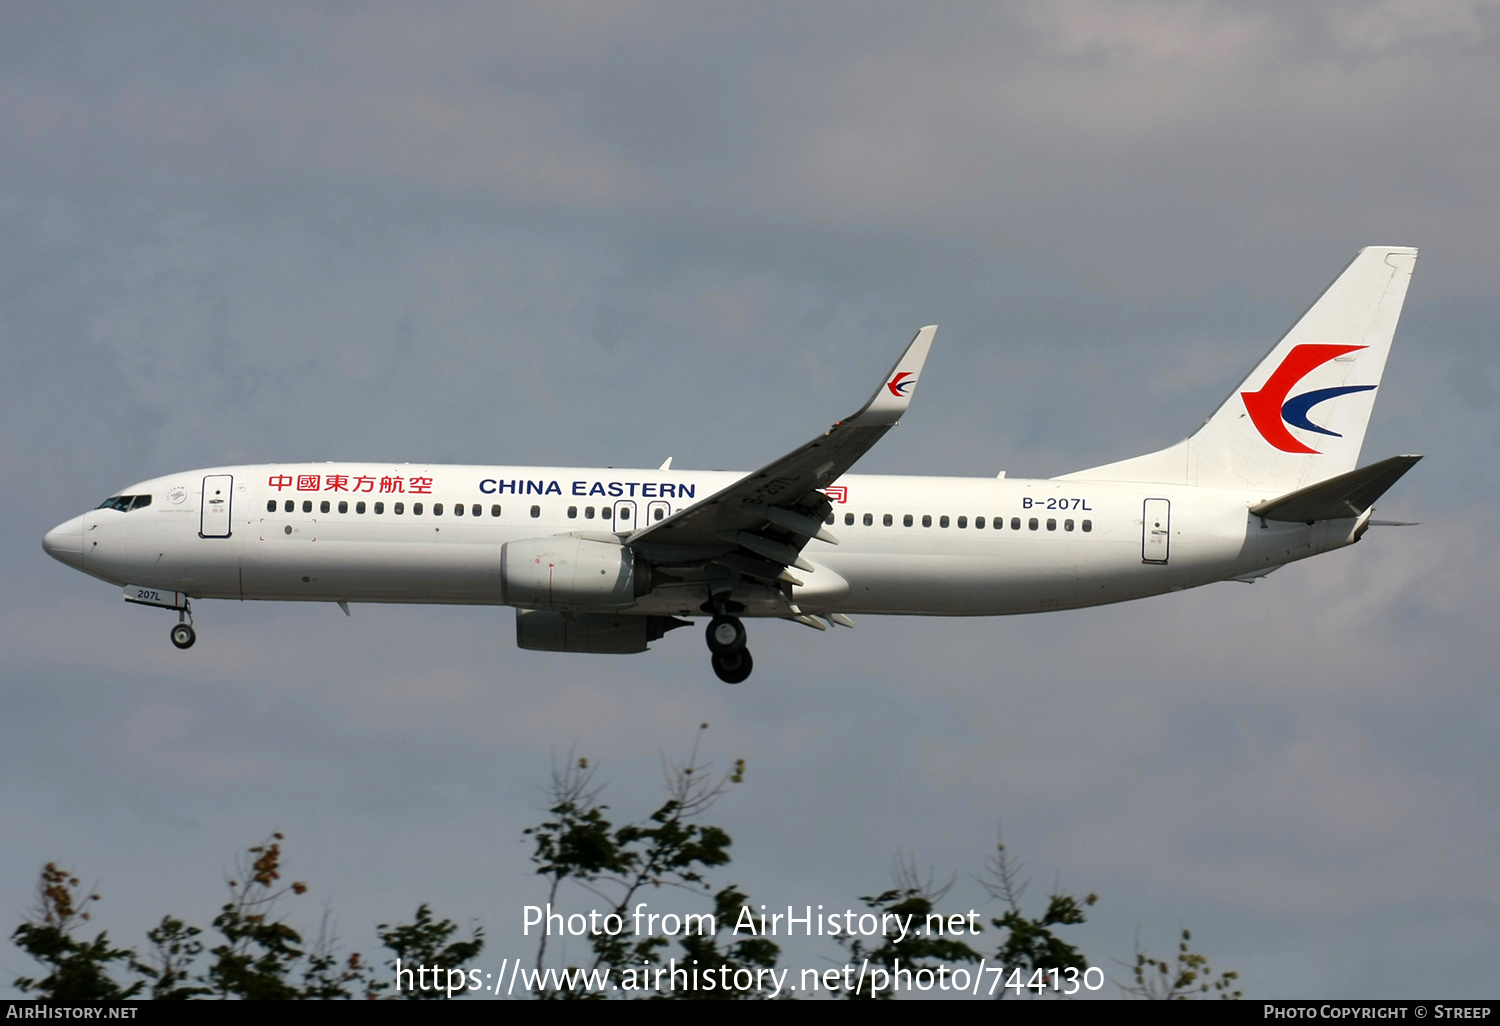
251, 952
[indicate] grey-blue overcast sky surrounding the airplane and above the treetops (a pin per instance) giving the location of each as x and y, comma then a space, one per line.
607, 235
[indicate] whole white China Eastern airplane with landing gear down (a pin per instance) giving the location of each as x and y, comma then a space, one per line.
611, 560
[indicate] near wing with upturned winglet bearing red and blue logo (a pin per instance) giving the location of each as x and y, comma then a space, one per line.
760, 524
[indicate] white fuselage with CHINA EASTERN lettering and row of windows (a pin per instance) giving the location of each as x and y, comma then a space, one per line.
1043, 544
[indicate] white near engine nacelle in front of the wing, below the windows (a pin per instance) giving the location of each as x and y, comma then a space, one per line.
568, 572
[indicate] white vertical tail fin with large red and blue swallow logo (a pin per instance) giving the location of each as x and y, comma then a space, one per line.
1301, 416
